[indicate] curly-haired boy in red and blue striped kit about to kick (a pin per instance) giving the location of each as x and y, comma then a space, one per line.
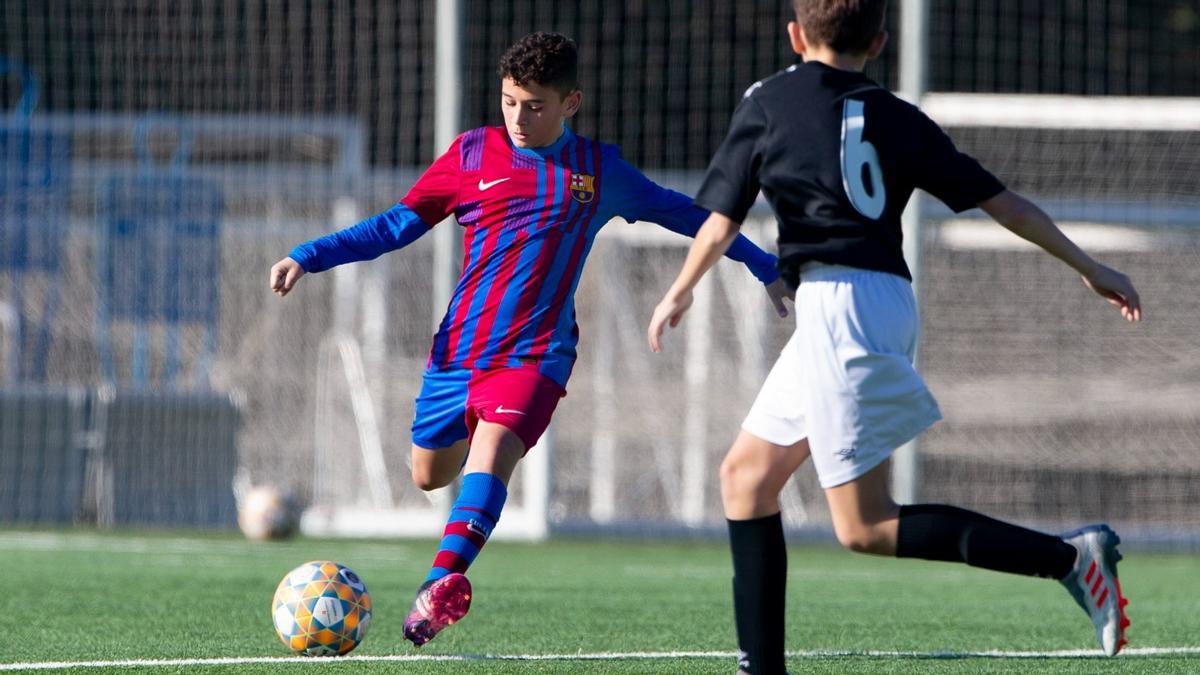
532, 196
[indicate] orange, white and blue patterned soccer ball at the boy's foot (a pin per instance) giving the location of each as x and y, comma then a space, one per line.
322, 608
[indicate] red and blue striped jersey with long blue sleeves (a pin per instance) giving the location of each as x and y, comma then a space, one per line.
530, 219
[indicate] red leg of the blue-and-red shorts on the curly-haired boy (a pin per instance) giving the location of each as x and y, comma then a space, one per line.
520, 399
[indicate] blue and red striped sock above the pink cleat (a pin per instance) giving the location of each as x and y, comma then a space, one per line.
472, 519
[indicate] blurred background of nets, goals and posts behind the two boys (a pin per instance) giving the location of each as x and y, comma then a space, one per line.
158, 158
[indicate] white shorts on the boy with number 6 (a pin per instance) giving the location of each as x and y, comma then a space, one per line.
845, 380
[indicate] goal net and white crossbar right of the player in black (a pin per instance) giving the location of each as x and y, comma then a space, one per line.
1058, 411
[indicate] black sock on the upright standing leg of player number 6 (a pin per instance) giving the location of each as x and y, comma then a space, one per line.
760, 582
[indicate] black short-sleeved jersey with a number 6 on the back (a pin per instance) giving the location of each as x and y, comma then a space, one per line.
837, 157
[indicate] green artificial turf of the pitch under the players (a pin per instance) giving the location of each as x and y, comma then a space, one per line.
82, 596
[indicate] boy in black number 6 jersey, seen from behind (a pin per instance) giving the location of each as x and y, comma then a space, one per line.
837, 158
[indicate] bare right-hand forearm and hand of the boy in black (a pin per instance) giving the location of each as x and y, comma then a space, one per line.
1030, 223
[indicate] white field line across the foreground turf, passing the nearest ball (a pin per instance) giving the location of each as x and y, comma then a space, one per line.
595, 656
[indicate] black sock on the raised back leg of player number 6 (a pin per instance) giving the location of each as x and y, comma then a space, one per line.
957, 535
